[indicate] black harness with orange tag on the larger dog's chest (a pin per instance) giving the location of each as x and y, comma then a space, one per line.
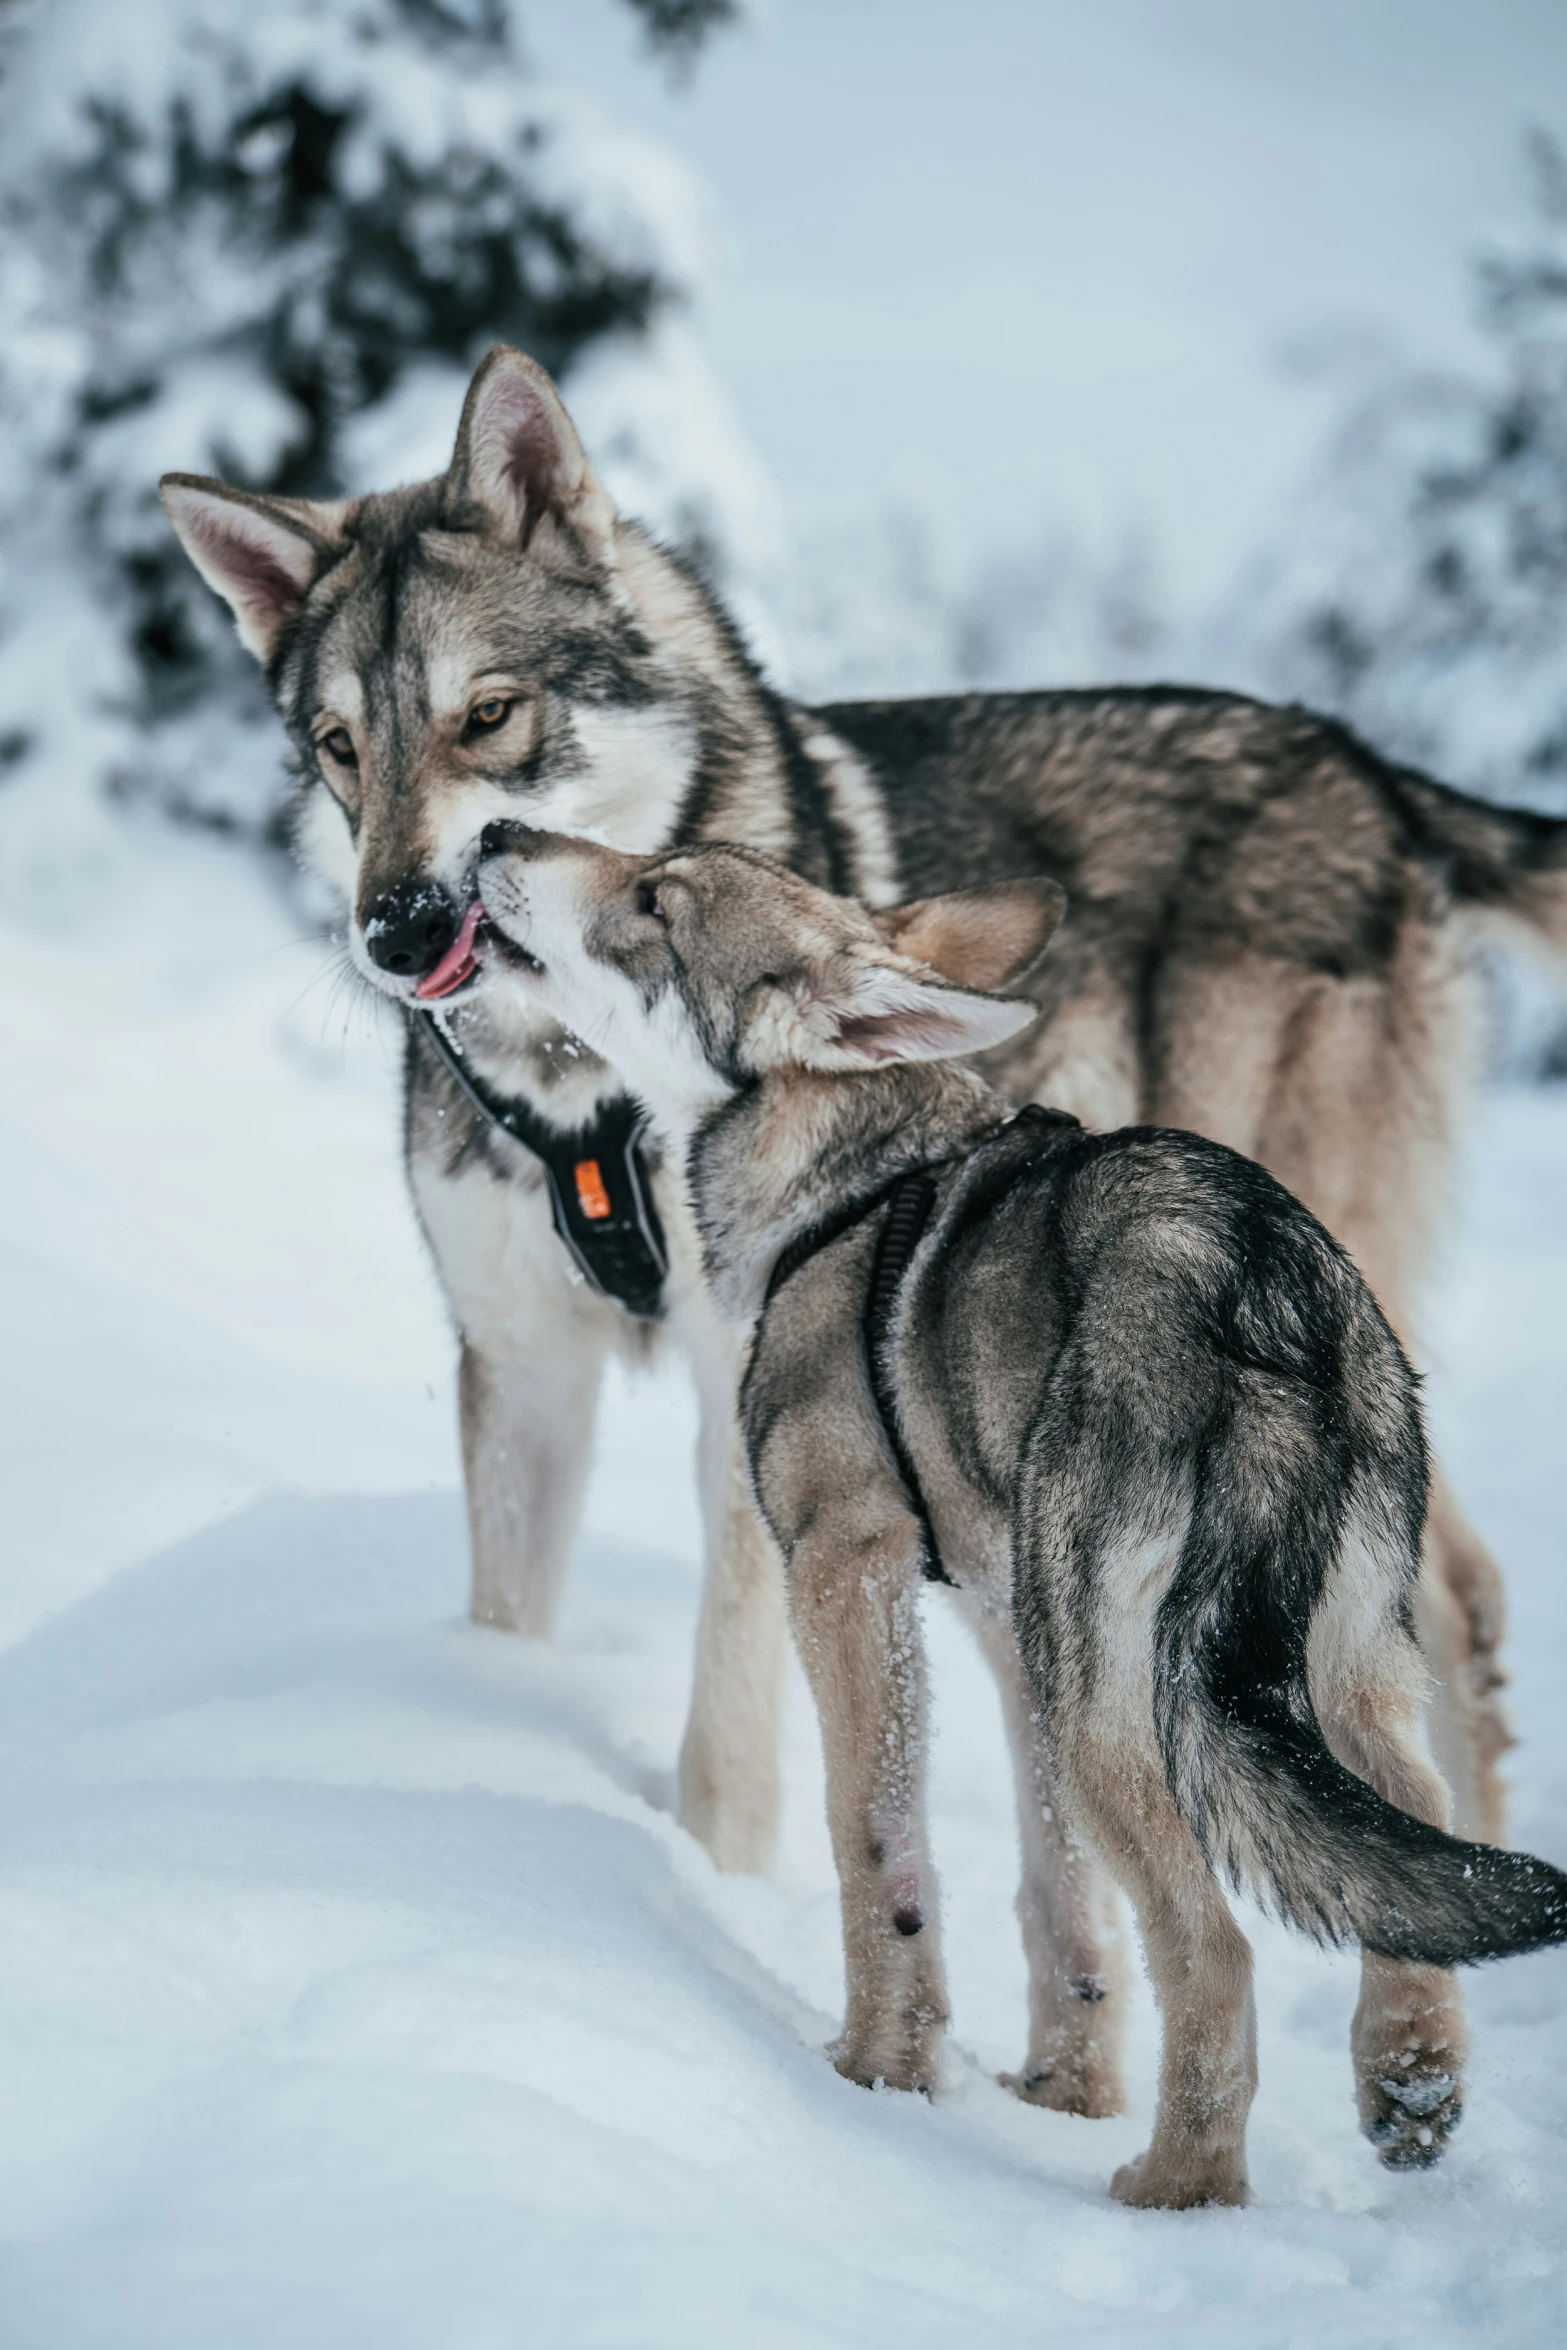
598, 1176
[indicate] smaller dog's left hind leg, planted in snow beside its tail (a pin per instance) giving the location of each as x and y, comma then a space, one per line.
1202, 1970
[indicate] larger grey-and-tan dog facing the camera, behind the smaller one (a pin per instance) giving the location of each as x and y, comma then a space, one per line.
1272, 944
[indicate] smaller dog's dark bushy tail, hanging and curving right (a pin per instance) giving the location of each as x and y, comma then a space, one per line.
1256, 1780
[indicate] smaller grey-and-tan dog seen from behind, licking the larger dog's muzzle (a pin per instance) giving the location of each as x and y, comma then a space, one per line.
1122, 1390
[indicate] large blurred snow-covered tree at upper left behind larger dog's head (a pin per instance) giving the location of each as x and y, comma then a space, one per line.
269, 241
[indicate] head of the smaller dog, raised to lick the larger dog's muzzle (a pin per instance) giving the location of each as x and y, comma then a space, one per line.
706, 969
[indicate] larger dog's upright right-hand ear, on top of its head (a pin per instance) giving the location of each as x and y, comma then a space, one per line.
518, 457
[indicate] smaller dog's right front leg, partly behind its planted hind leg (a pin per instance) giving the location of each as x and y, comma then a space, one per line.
1065, 1907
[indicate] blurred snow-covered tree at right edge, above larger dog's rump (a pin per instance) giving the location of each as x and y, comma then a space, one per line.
1423, 589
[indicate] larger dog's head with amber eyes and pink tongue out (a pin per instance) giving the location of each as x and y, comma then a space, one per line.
457, 652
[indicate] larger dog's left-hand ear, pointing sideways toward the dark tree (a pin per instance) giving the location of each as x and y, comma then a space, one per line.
264, 556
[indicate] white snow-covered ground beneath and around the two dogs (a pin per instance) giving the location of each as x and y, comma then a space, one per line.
356, 1982
